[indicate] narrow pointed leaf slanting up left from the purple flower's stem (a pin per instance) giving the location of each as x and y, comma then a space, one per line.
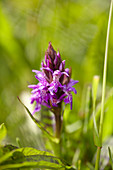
40, 125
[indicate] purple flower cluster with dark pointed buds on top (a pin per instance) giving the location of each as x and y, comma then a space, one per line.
55, 83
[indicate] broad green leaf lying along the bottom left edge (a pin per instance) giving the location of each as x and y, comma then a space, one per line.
30, 157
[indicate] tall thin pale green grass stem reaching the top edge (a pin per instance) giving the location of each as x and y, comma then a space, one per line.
103, 89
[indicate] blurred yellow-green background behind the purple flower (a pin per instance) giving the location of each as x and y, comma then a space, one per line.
78, 29
